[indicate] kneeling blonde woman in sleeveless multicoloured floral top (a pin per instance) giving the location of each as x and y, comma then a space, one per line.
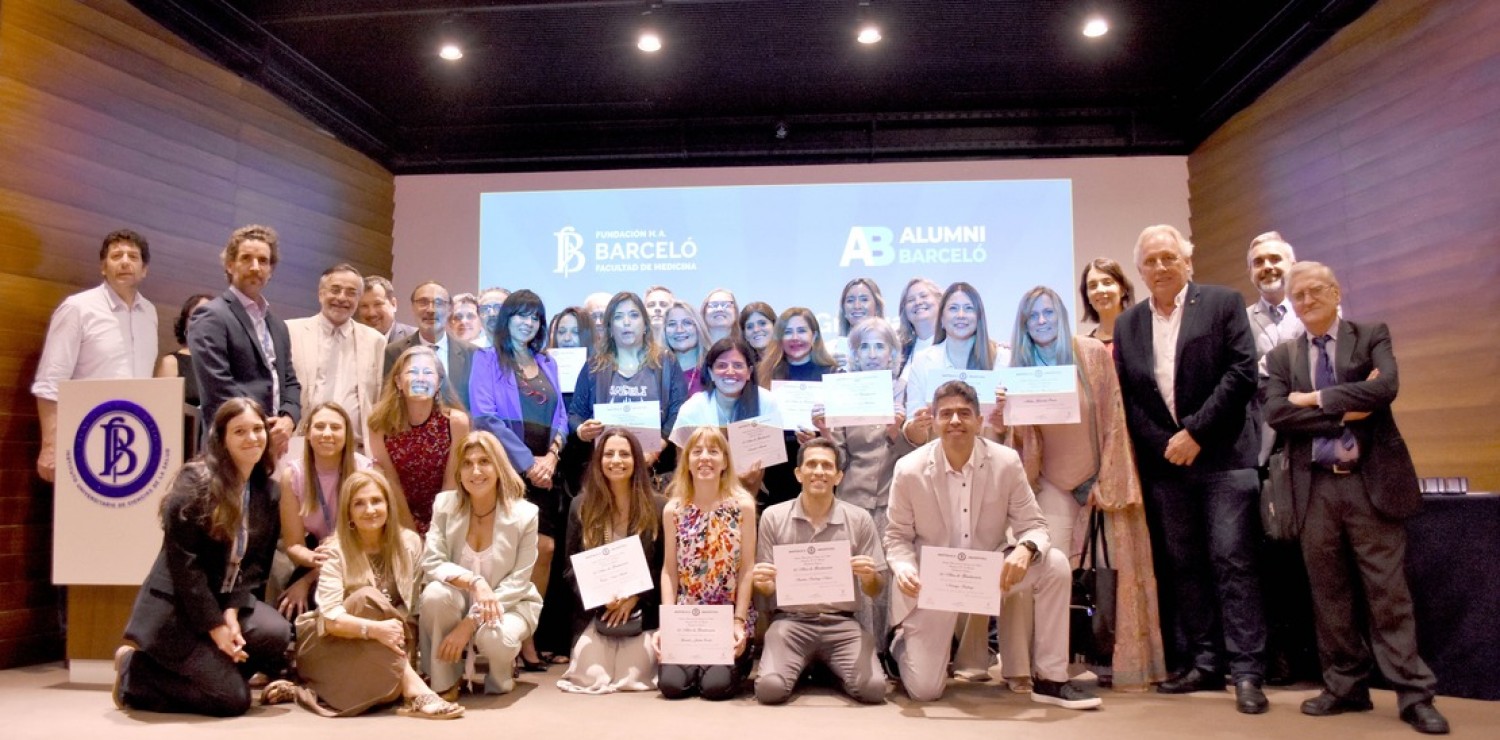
710, 526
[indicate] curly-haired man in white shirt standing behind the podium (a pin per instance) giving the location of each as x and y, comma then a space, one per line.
104, 332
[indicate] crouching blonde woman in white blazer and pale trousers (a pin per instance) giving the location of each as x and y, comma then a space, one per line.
481, 550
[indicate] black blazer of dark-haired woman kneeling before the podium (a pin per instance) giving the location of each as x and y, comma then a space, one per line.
181, 600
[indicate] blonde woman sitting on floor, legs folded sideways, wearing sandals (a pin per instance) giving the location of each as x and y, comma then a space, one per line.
353, 651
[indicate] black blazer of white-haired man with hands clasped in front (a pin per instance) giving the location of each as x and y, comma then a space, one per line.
1216, 382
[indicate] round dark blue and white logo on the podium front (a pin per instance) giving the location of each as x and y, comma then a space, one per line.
118, 457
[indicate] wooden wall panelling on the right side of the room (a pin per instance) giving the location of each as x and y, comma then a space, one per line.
1379, 155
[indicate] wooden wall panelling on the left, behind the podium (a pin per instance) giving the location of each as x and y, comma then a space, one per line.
107, 121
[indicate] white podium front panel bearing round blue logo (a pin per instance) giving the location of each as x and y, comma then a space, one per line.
119, 445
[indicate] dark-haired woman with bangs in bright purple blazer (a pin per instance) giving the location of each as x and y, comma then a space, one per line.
517, 397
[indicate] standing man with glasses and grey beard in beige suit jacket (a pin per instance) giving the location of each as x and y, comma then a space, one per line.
338, 358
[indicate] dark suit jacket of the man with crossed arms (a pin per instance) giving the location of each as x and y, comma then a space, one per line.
1384, 460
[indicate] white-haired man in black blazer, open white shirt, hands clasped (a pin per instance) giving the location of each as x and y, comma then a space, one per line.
1187, 368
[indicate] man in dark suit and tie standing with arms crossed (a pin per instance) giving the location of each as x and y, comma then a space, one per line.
1330, 397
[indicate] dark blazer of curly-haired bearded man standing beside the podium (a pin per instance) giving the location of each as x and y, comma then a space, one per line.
229, 361
